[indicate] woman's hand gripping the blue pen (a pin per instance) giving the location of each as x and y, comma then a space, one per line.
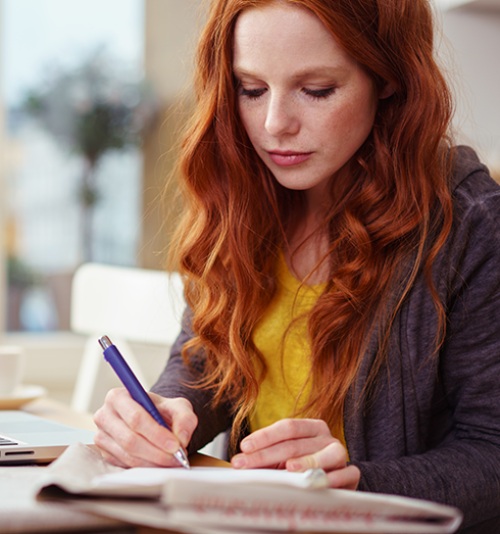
128, 436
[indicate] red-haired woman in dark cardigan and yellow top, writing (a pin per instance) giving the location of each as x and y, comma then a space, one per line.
340, 261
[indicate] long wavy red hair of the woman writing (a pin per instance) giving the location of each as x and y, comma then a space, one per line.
391, 209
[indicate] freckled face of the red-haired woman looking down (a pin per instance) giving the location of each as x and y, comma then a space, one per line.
306, 105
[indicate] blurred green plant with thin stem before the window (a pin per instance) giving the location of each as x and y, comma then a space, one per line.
92, 109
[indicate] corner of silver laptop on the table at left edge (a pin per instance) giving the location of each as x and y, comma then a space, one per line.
28, 439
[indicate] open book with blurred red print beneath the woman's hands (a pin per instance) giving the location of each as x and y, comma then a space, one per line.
208, 500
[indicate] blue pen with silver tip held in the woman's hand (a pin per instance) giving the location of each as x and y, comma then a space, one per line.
137, 392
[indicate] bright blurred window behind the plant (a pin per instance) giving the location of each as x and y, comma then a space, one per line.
58, 56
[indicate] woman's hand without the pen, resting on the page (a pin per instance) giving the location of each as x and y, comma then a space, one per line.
298, 445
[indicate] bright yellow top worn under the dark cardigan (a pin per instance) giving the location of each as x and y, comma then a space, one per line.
284, 390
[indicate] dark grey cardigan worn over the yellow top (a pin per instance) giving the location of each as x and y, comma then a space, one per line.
432, 431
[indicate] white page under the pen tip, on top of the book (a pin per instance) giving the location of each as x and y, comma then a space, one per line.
146, 476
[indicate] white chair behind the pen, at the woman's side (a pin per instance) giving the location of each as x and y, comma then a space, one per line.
128, 305
